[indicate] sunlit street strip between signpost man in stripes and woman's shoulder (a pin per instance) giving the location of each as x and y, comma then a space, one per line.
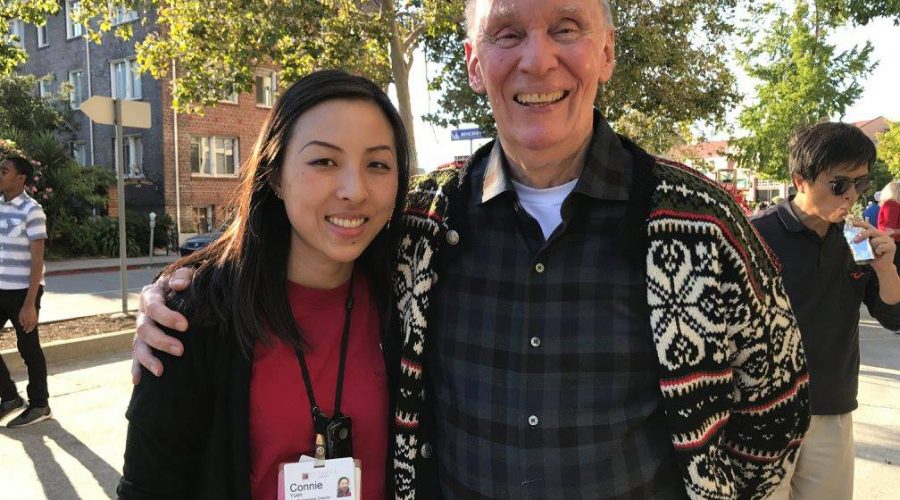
86, 294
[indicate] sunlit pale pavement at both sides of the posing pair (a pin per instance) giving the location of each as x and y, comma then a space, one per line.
78, 455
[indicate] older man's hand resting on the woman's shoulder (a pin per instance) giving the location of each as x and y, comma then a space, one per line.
152, 316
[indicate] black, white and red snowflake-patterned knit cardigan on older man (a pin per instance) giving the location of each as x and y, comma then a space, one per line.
733, 373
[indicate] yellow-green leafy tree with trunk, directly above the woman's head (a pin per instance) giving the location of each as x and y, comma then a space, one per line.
216, 45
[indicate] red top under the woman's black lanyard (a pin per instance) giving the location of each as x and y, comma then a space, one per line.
280, 423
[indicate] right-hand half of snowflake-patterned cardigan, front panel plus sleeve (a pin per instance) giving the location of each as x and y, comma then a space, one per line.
733, 372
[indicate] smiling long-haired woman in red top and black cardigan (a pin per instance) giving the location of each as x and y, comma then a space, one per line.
287, 308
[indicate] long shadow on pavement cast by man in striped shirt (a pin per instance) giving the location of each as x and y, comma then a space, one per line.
51, 475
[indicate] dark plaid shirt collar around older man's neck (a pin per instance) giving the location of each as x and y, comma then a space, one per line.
607, 173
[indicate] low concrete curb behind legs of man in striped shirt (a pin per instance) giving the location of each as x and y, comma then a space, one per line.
83, 348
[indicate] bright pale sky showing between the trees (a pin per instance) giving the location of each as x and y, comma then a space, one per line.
881, 97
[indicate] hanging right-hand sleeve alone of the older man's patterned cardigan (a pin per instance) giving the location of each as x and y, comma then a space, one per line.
770, 409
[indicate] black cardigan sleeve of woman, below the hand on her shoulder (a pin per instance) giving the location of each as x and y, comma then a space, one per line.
168, 426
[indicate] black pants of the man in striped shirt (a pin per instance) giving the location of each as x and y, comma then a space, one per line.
29, 346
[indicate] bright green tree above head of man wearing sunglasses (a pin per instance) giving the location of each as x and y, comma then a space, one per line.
802, 81
